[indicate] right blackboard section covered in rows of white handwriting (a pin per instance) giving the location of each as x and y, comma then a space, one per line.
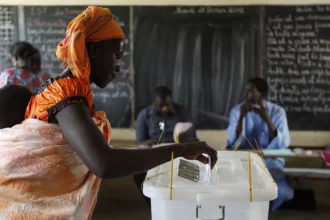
297, 67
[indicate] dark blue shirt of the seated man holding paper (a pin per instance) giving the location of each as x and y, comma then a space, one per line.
148, 128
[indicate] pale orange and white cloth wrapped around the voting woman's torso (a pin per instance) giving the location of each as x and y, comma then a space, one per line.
42, 176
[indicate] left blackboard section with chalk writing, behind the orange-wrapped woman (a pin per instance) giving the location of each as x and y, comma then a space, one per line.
45, 27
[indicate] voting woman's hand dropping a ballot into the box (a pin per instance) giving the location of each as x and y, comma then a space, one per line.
195, 151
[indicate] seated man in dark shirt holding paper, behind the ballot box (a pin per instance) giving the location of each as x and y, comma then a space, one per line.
162, 113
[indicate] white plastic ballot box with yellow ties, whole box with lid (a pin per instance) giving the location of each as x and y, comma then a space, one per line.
237, 190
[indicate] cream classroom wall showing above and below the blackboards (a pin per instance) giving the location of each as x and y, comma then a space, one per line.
215, 138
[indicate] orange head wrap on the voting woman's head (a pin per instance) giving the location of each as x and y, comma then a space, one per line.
94, 24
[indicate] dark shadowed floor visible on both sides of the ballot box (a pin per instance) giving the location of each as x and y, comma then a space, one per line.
119, 199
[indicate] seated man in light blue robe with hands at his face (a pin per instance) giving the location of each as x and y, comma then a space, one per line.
265, 122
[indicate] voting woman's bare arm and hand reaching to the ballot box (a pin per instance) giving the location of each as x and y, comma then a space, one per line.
83, 135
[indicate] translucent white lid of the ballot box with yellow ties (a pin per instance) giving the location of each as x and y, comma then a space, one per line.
235, 177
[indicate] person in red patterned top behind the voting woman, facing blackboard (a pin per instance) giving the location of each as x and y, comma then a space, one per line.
26, 69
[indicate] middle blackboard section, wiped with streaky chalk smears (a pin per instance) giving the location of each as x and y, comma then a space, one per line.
203, 54
